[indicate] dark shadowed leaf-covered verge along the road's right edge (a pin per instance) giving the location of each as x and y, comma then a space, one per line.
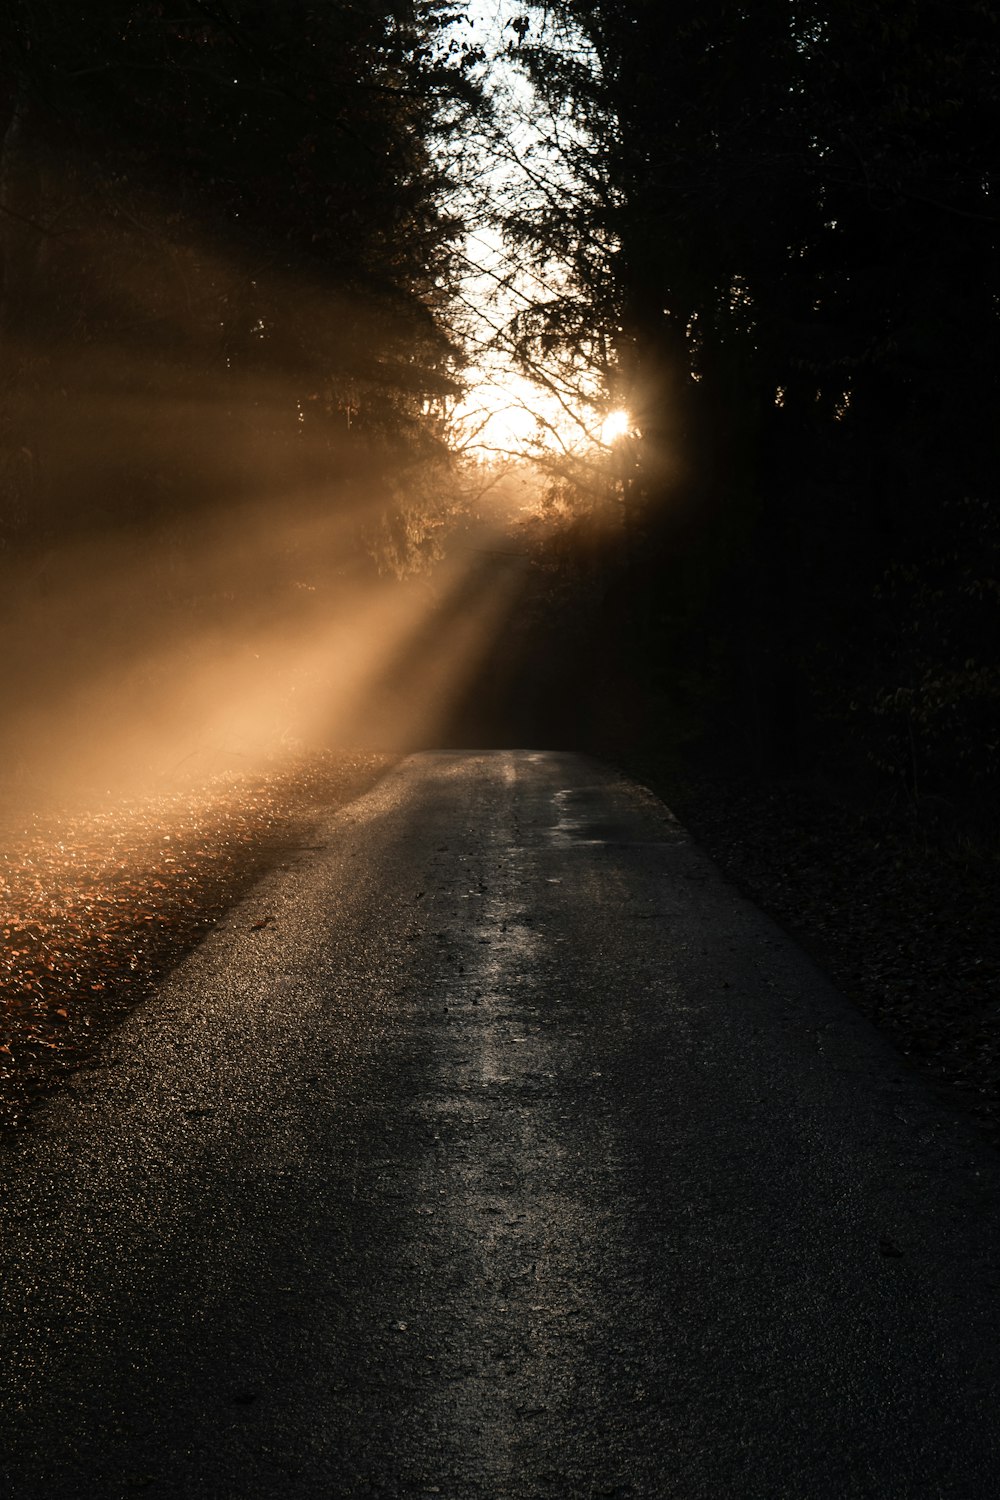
903, 923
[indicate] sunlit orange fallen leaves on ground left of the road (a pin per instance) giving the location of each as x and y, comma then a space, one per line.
95, 907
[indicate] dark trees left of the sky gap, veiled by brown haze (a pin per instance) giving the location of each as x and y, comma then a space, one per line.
226, 352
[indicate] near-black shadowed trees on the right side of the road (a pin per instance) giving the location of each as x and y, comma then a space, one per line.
786, 221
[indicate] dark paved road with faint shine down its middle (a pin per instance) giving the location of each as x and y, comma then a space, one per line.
515, 1156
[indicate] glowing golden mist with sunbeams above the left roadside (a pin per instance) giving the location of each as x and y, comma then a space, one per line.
269, 587
